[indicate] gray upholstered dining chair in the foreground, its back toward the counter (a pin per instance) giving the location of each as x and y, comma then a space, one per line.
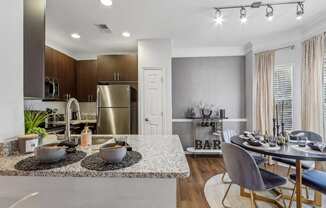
243, 171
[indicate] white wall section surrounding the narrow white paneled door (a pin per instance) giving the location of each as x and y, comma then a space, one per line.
156, 53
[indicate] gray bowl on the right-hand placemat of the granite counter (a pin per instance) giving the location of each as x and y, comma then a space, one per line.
113, 153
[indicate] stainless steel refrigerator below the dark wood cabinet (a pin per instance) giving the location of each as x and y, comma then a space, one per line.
115, 109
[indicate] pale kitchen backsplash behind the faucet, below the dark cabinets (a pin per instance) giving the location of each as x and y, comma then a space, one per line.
85, 107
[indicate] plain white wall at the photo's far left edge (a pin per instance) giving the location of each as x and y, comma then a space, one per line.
11, 80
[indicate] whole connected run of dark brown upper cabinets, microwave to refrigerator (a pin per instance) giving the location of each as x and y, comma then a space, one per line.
79, 78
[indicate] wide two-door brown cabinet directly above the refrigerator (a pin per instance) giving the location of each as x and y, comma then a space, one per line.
117, 68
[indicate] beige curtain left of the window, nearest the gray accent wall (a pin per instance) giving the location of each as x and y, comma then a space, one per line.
265, 63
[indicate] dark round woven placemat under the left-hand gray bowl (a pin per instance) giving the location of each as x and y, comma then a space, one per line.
32, 164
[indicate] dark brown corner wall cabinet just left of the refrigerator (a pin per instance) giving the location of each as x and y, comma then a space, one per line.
86, 75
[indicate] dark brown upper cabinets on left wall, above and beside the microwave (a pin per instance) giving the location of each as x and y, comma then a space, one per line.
62, 68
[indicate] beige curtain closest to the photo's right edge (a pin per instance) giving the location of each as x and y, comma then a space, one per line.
311, 83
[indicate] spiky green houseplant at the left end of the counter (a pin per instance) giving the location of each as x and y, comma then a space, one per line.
33, 120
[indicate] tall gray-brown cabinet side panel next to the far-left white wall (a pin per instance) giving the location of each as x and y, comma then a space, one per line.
34, 44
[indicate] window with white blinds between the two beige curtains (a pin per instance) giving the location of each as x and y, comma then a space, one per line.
283, 92
